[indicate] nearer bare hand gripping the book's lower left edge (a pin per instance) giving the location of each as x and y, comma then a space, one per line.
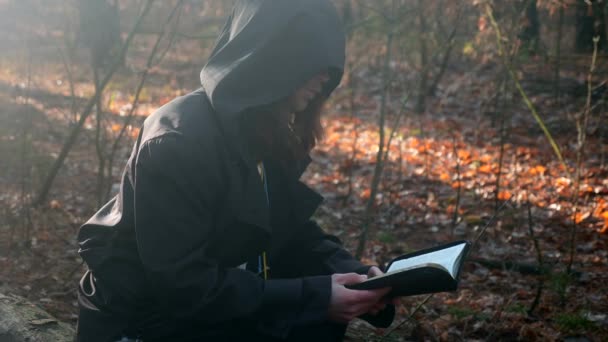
346, 304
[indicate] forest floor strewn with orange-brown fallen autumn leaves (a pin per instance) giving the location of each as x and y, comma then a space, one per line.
439, 185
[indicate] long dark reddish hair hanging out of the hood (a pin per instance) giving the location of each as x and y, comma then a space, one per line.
273, 132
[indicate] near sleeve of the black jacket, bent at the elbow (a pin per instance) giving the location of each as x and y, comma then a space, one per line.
175, 190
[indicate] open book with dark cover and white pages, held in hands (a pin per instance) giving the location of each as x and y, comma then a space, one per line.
429, 270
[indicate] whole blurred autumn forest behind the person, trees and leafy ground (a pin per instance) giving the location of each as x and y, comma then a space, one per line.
468, 119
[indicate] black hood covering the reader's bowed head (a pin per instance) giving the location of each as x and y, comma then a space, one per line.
268, 48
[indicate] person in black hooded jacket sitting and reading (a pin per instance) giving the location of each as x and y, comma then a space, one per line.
210, 237
